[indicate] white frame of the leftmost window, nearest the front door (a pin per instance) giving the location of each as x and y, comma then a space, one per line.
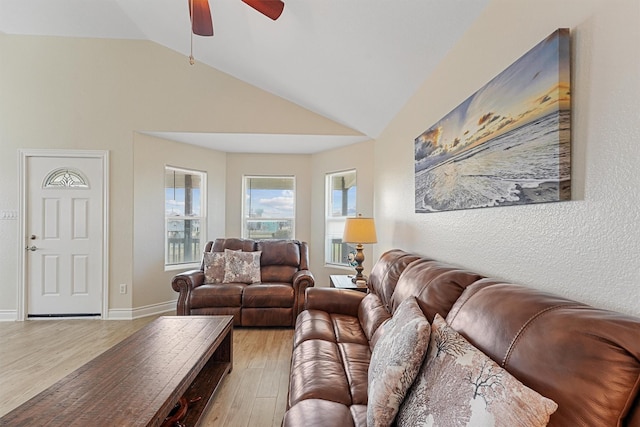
202, 217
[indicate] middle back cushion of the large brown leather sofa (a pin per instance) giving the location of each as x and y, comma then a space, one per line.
435, 285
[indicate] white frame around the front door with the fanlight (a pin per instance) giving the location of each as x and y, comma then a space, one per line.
23, 155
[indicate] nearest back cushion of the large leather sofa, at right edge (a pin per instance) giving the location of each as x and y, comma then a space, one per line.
585, 359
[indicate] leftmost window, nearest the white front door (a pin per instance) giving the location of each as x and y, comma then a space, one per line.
185, 215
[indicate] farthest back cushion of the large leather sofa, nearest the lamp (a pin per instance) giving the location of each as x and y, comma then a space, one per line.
386, 271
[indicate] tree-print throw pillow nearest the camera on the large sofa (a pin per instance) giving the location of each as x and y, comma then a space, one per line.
459, 385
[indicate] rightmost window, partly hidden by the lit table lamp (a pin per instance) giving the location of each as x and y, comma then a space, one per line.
340, 190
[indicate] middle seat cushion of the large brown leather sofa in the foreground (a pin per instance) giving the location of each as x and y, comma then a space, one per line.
317, 372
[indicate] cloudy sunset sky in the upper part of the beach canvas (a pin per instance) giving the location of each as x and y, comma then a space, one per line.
532, 87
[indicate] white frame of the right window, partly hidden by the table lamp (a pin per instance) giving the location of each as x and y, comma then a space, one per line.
333, 222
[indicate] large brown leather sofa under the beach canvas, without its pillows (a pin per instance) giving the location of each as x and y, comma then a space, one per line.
585, 359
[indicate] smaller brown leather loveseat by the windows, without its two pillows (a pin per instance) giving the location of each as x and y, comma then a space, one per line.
275, 301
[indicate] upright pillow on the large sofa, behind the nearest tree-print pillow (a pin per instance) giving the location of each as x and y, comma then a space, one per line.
395, 361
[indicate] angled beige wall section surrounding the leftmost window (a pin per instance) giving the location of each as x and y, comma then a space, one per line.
151, 290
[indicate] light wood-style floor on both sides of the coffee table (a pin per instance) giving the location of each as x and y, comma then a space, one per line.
35, 354
